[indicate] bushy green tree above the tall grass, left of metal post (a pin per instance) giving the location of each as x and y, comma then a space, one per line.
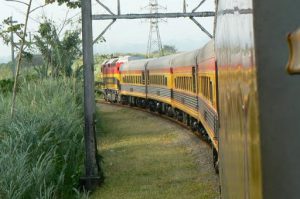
59, 54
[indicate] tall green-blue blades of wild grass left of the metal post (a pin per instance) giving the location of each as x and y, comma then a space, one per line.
41, 149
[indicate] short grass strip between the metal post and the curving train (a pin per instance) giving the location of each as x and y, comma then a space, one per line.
148, 157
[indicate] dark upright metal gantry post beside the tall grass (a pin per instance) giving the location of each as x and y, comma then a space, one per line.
92, 178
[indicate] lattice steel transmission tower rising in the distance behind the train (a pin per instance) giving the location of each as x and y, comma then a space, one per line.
154, 34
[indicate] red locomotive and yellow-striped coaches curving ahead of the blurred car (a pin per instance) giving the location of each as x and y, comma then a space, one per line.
182, 85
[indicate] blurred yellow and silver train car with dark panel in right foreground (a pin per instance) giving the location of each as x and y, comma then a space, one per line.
259, 100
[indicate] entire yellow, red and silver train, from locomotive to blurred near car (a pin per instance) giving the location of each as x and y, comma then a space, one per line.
241, 90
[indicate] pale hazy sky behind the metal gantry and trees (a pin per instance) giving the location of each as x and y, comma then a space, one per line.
124, 35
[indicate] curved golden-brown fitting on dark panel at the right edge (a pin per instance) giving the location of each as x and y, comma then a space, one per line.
293, 65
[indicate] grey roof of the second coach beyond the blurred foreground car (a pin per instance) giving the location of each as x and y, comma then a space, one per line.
185, 59
